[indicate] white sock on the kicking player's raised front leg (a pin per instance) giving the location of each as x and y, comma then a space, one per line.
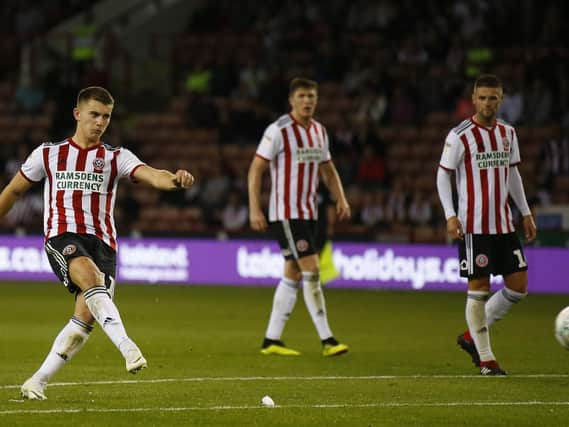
107, 315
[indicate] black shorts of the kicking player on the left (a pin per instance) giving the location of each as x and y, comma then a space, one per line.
63, 248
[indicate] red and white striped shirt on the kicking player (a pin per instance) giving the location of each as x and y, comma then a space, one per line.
80, 186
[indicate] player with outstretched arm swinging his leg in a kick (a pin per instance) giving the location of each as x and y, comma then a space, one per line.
80, 177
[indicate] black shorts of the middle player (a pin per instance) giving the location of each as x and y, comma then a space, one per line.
296, 237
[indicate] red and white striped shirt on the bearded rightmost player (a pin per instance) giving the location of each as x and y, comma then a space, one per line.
481, 159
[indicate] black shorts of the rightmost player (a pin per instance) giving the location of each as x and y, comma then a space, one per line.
481, 255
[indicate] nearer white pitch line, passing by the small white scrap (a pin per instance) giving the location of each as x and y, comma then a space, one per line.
315, 406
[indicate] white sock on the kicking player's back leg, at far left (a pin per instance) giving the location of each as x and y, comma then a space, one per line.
68, 342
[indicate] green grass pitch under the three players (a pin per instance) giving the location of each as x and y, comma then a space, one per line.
202, 346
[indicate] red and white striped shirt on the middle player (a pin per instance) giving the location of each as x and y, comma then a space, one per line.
295, 153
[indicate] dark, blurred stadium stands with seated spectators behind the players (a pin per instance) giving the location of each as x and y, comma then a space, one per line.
197, 82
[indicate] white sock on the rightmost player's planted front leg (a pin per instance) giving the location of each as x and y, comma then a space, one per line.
476, 321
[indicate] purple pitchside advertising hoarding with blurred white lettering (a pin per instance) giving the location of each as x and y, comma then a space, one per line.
259, 263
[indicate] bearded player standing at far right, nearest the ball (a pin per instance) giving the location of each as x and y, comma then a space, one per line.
484, 153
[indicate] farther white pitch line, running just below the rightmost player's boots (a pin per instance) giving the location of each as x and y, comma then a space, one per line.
289, 378
